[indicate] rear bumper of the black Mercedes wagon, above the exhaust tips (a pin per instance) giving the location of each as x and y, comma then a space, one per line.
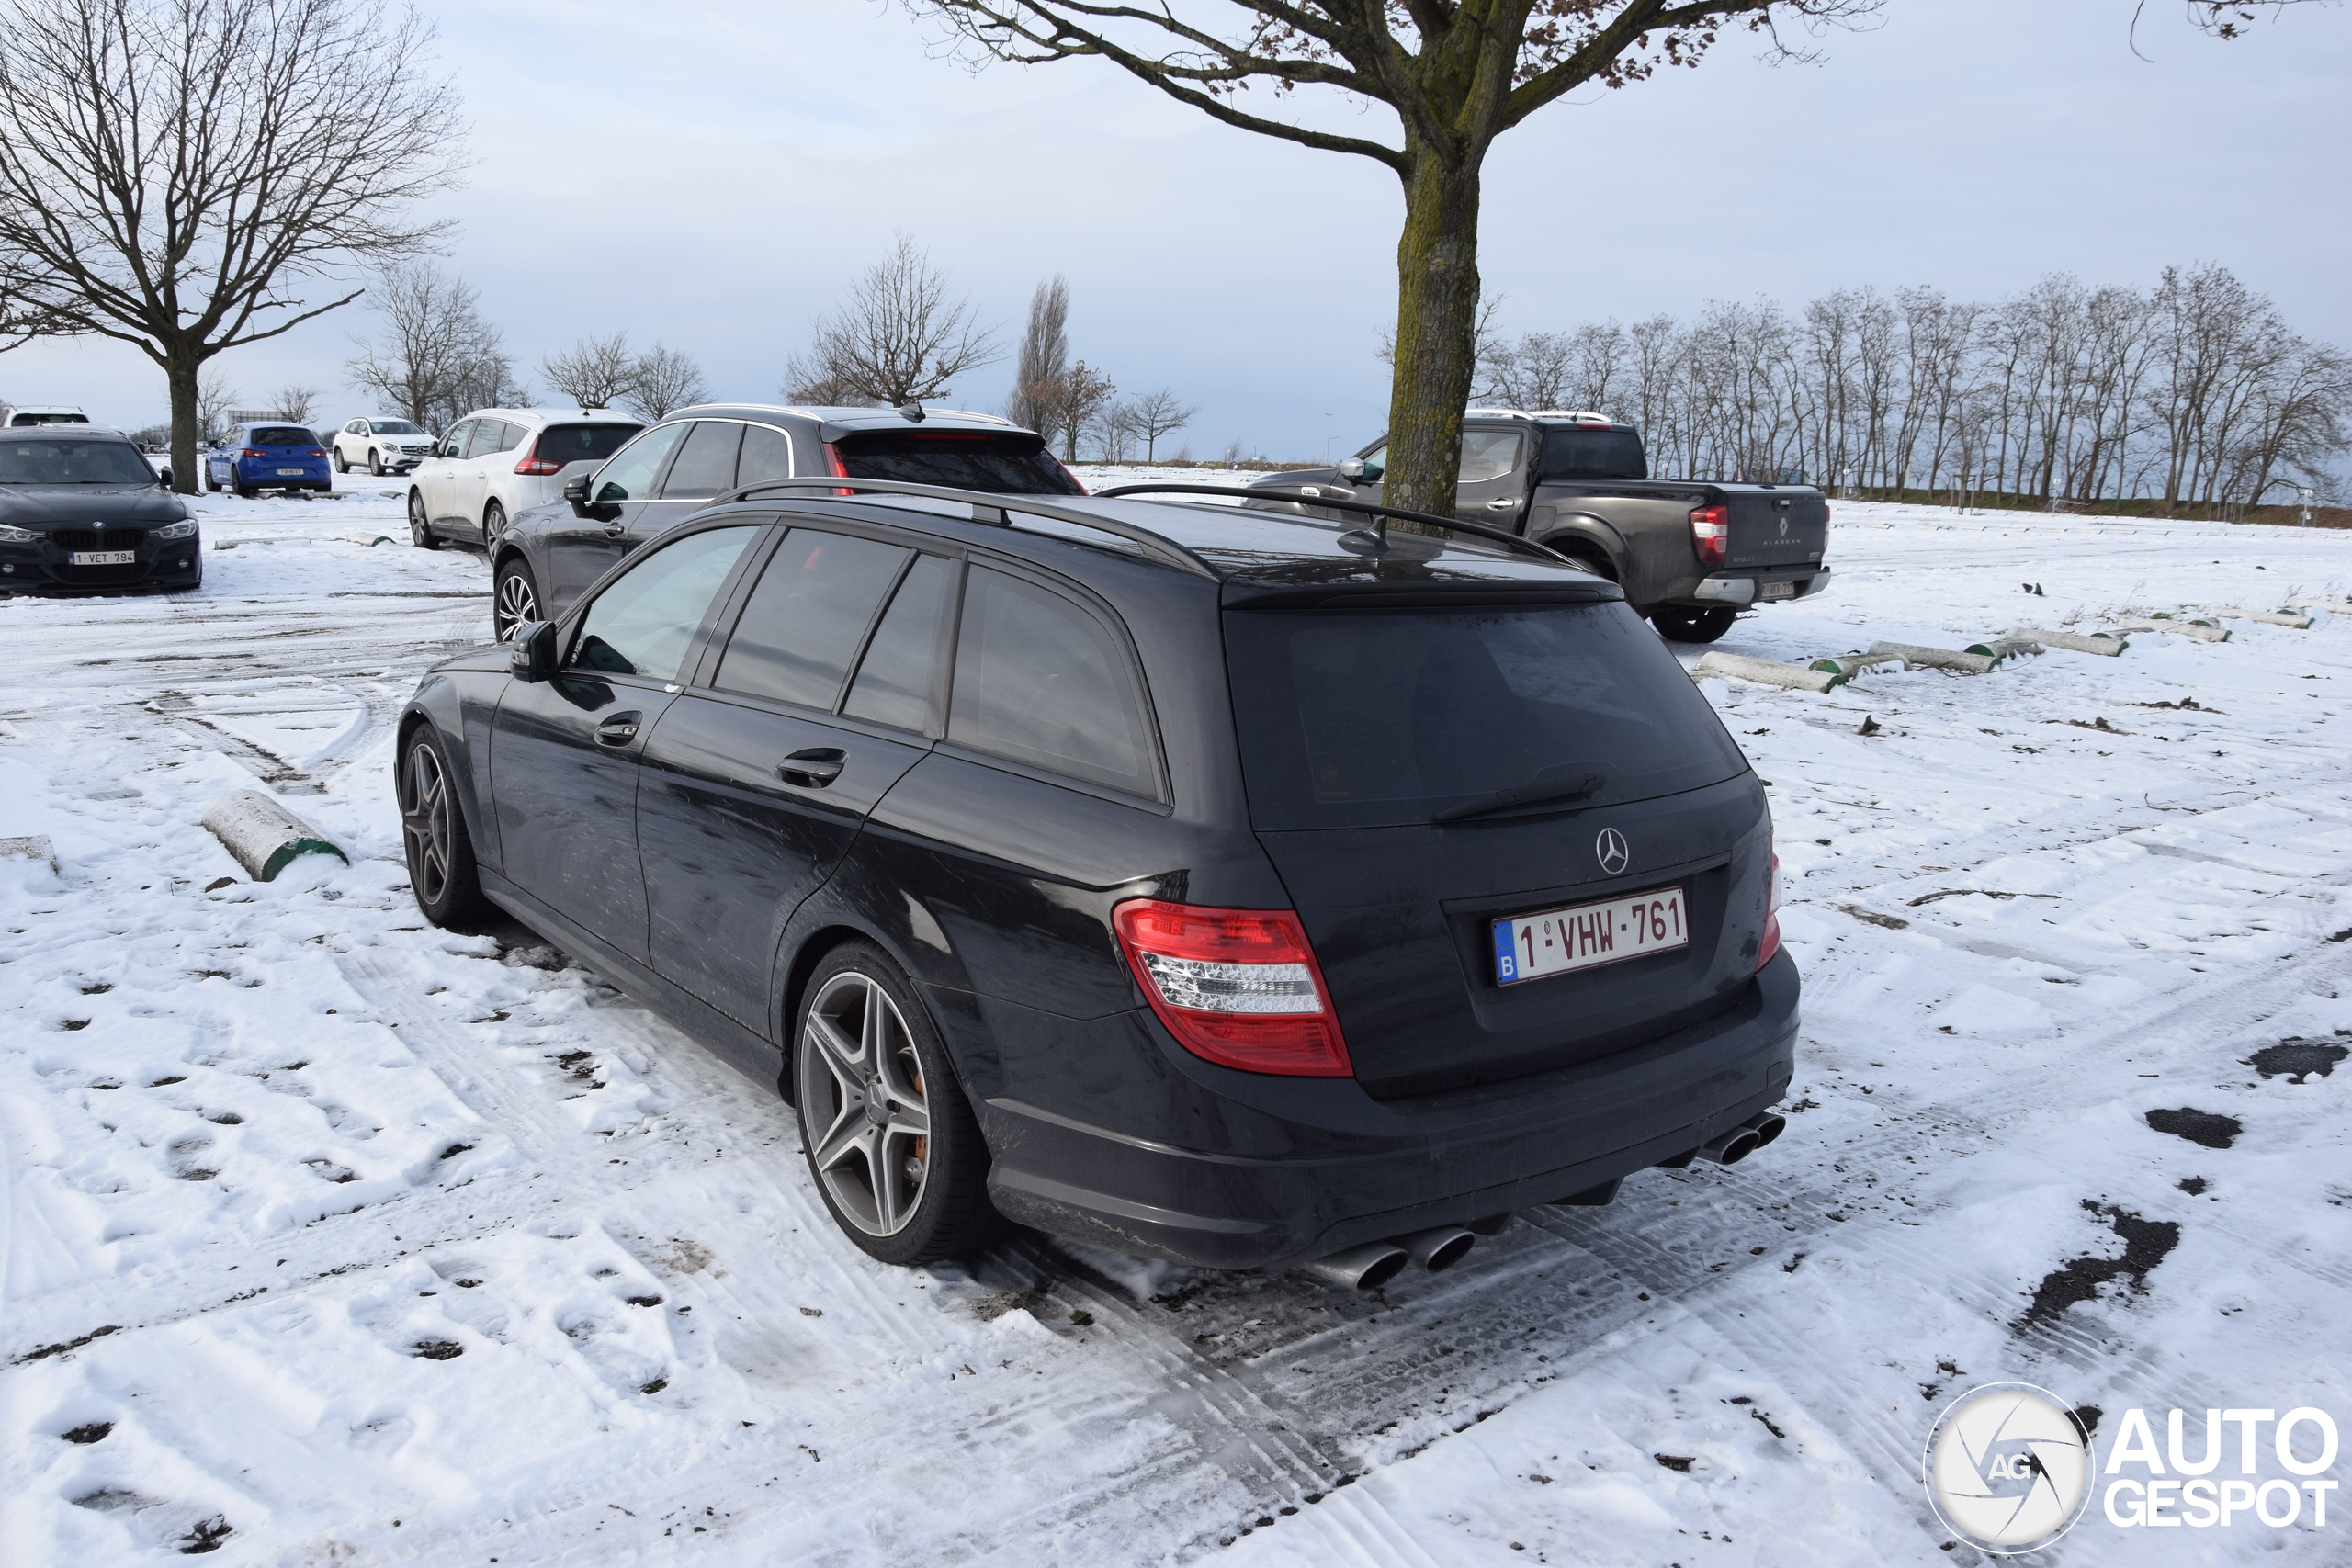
1307, 1167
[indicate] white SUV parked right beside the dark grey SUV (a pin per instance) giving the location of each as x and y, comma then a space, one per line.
497, 462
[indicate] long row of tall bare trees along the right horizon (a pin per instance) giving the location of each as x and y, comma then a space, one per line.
2193, 391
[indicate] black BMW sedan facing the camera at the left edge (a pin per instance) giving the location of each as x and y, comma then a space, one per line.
81, 509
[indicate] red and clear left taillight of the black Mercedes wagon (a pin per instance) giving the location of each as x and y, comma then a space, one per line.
1238, 989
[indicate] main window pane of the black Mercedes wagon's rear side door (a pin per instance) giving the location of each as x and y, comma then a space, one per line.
806, 619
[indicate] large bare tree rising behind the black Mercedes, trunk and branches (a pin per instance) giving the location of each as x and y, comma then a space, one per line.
1457, 74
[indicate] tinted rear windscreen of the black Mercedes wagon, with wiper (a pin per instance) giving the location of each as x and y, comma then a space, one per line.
1379, 718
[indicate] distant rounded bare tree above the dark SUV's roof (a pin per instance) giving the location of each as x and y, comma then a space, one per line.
900, 337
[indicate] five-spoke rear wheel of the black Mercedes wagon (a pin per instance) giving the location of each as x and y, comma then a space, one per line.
890, 1137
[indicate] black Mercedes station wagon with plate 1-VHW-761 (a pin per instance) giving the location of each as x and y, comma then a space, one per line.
1203, 883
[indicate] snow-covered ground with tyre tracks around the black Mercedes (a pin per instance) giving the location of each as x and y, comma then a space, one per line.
340, 1240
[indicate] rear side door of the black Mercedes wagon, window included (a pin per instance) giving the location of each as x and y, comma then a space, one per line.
759, 782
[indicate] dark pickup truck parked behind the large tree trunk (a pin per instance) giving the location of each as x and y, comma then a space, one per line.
1690, 554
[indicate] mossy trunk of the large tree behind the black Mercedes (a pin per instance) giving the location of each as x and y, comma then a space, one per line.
1436, 335
